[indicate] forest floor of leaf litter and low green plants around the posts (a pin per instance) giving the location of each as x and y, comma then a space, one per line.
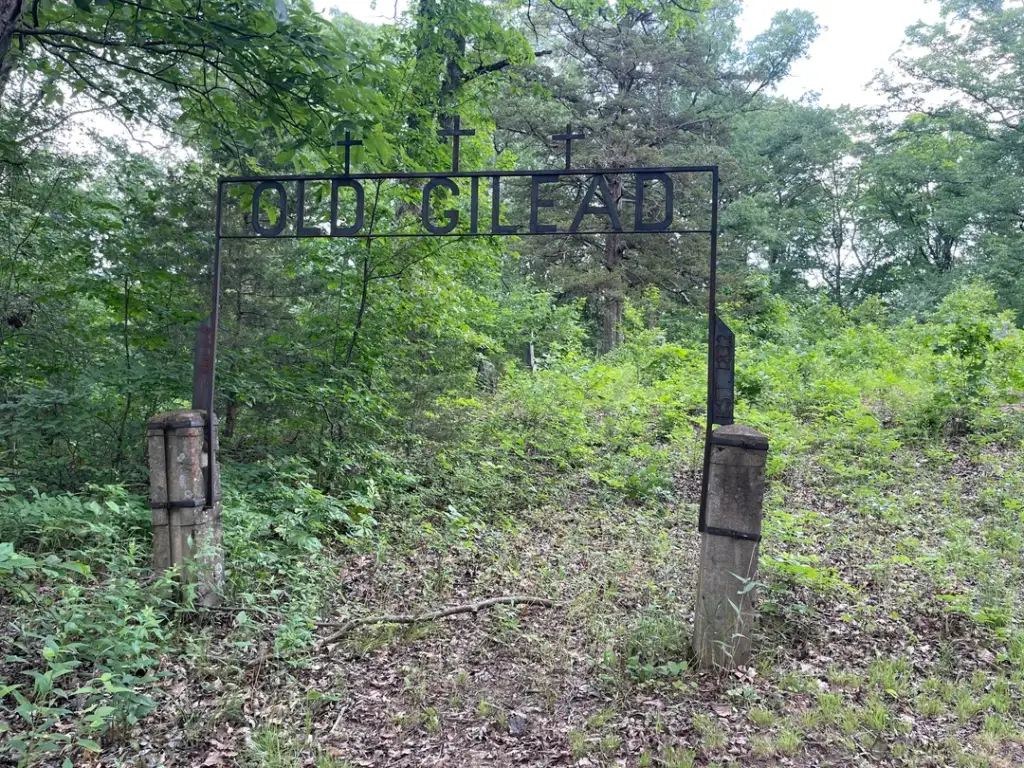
889, 630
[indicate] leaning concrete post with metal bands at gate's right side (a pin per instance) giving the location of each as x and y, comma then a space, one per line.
724, 612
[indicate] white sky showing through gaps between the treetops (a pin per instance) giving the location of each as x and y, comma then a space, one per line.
858, 39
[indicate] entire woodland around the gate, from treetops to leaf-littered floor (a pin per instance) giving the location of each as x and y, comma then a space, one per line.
386, 449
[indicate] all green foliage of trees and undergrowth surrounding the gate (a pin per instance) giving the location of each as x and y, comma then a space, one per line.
872, 273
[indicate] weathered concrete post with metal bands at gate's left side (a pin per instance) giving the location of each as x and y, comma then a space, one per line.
187, 526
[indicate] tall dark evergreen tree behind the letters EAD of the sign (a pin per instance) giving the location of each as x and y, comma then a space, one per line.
649, 88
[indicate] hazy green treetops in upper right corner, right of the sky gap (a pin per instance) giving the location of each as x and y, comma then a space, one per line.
958, 163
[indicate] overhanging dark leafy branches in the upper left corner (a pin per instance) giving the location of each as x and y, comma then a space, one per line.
245, 67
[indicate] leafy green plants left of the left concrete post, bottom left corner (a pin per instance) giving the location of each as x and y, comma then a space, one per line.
91, 627
